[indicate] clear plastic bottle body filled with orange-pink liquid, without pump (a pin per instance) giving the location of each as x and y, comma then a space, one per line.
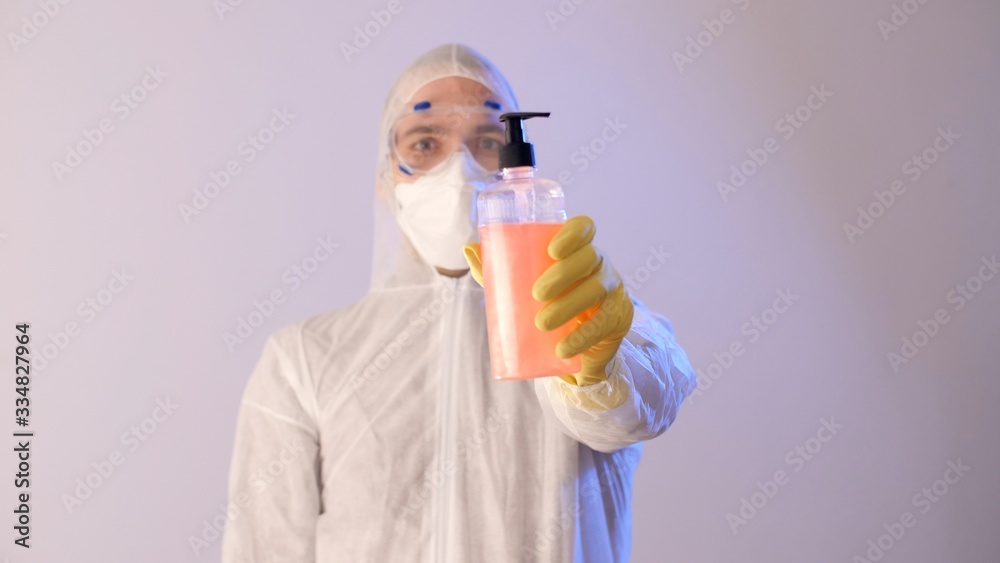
518, 216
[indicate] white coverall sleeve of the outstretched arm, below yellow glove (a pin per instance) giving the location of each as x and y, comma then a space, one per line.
649, 378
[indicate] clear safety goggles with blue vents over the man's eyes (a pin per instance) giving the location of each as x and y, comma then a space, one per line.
426, 136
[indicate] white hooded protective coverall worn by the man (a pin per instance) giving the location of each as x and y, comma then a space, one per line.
375, 433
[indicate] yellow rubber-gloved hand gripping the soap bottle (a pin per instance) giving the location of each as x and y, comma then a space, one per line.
582, 280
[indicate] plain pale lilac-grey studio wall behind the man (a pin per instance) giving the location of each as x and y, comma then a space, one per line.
812, 444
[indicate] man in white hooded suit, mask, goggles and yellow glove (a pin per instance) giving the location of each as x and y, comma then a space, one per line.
375, 433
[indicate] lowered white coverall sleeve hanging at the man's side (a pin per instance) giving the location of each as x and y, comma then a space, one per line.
274, 491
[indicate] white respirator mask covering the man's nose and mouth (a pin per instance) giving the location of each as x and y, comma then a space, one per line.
437, 211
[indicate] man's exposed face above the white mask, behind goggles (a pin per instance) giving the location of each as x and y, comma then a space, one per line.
424, 140
